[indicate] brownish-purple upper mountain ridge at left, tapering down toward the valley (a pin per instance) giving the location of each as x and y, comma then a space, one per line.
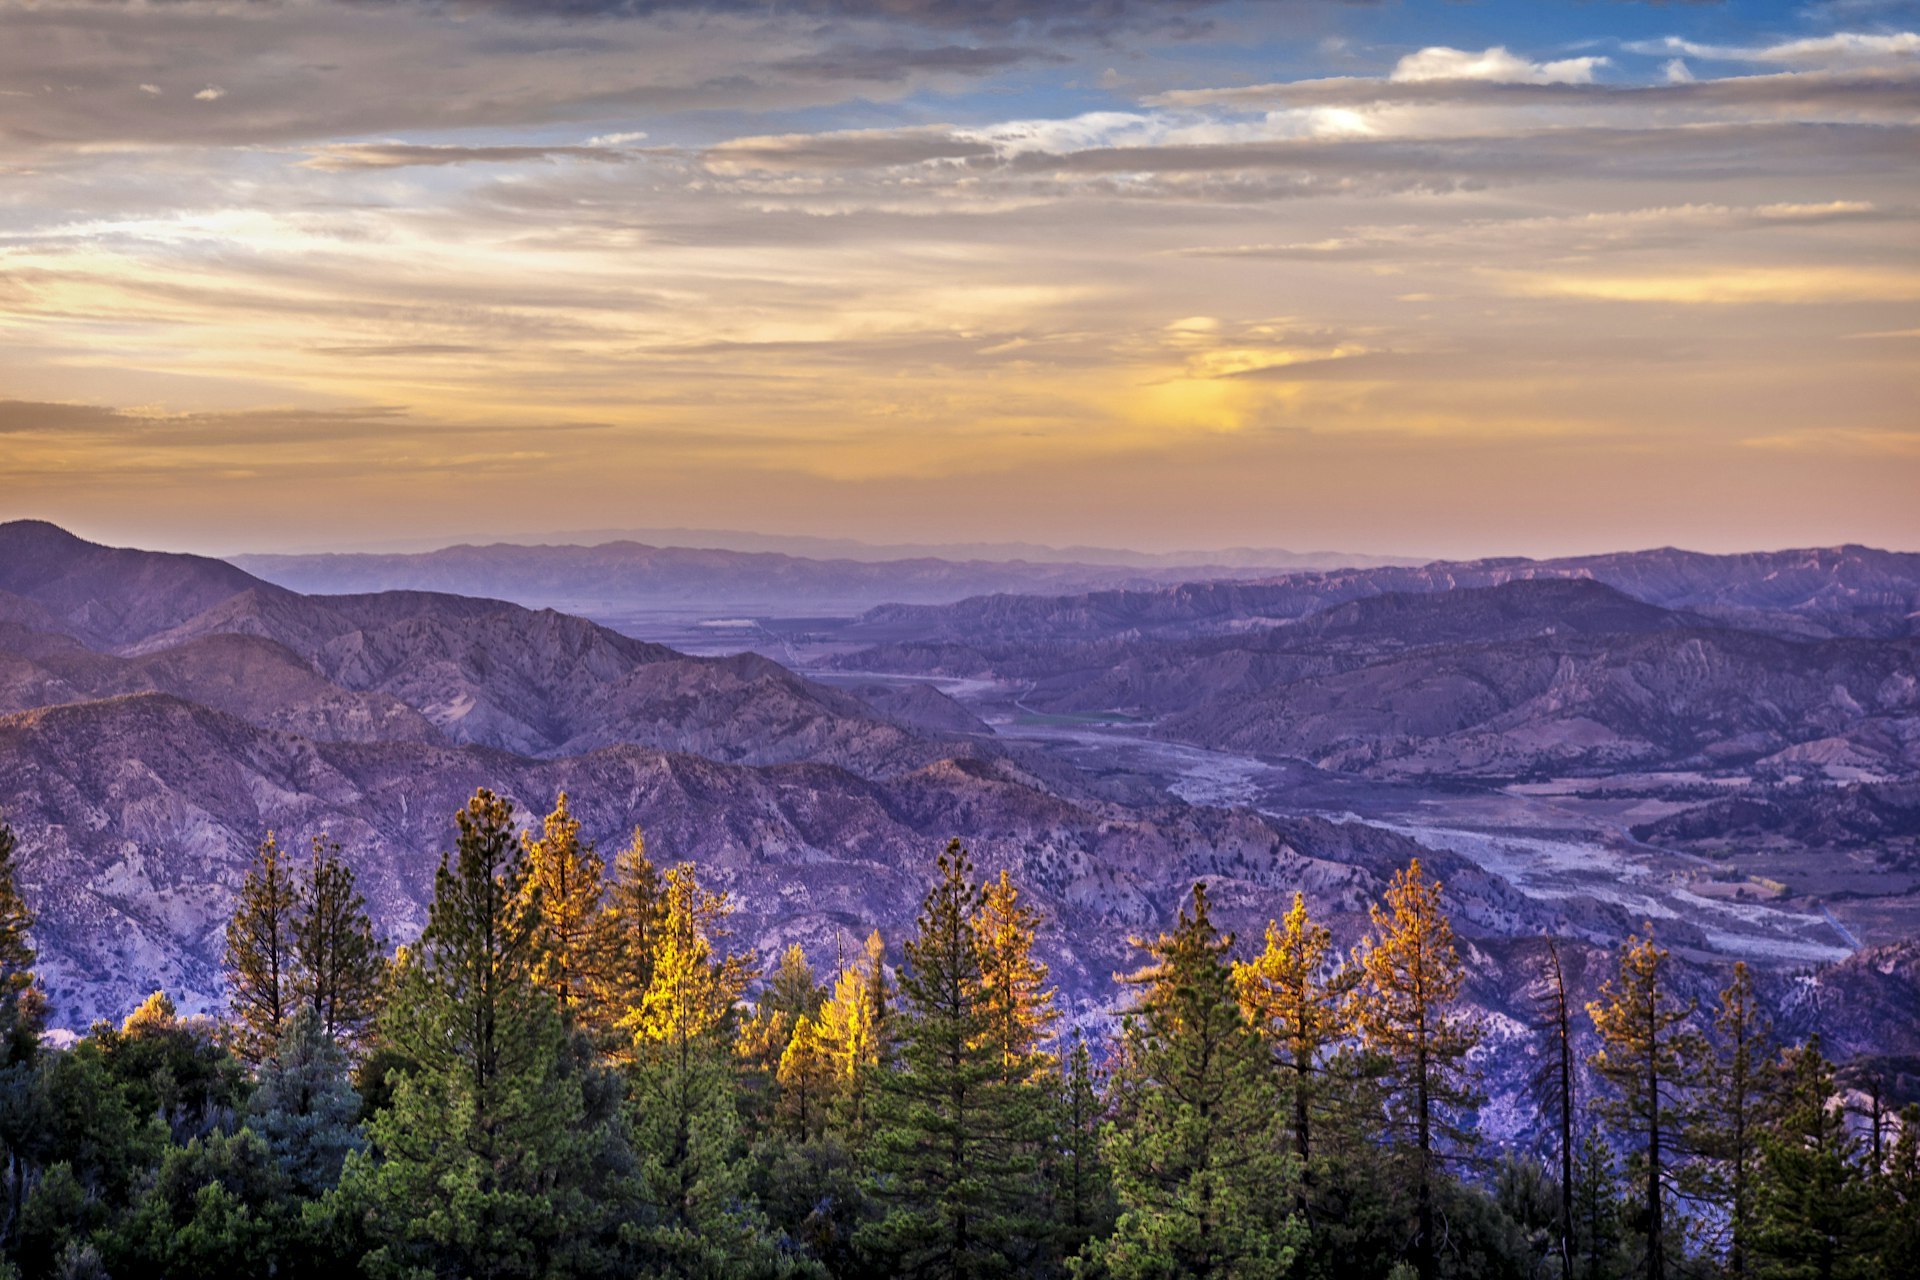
406, 665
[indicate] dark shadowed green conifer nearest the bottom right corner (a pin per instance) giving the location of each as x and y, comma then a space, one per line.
1812, 1197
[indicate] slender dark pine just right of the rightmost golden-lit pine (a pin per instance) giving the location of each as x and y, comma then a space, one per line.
1735, 1112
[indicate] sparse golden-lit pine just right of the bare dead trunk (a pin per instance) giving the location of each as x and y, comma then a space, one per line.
1646, 1055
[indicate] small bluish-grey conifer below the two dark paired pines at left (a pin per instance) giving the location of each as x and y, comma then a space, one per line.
306, 1108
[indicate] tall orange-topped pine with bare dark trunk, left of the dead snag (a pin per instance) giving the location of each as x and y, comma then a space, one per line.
1406, 1016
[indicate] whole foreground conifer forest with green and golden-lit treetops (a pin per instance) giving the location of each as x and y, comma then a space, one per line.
577, 1072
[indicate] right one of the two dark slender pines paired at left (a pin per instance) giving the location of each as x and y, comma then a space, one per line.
339, 966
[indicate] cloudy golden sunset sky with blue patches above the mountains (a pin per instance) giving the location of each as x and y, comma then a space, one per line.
1404, 277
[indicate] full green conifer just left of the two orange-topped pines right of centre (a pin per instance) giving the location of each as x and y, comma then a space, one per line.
1197, 1145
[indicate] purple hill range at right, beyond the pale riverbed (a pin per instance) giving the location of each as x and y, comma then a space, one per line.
1531, 678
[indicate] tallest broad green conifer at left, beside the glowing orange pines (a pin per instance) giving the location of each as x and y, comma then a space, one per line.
483, 1154
